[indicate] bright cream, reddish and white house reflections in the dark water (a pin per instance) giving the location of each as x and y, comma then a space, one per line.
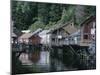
39, 60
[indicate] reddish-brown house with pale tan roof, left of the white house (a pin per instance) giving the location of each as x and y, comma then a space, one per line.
30, 38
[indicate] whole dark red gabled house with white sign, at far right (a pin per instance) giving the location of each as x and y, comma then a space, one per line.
88, 31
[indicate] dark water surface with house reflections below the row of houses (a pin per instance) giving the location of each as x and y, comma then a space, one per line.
42, 59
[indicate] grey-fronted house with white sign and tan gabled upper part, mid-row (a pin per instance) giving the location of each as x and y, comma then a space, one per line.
60, 33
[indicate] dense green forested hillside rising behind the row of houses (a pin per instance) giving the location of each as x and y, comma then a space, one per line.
35, 15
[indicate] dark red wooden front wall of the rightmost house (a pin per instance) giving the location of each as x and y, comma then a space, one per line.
86, 36
